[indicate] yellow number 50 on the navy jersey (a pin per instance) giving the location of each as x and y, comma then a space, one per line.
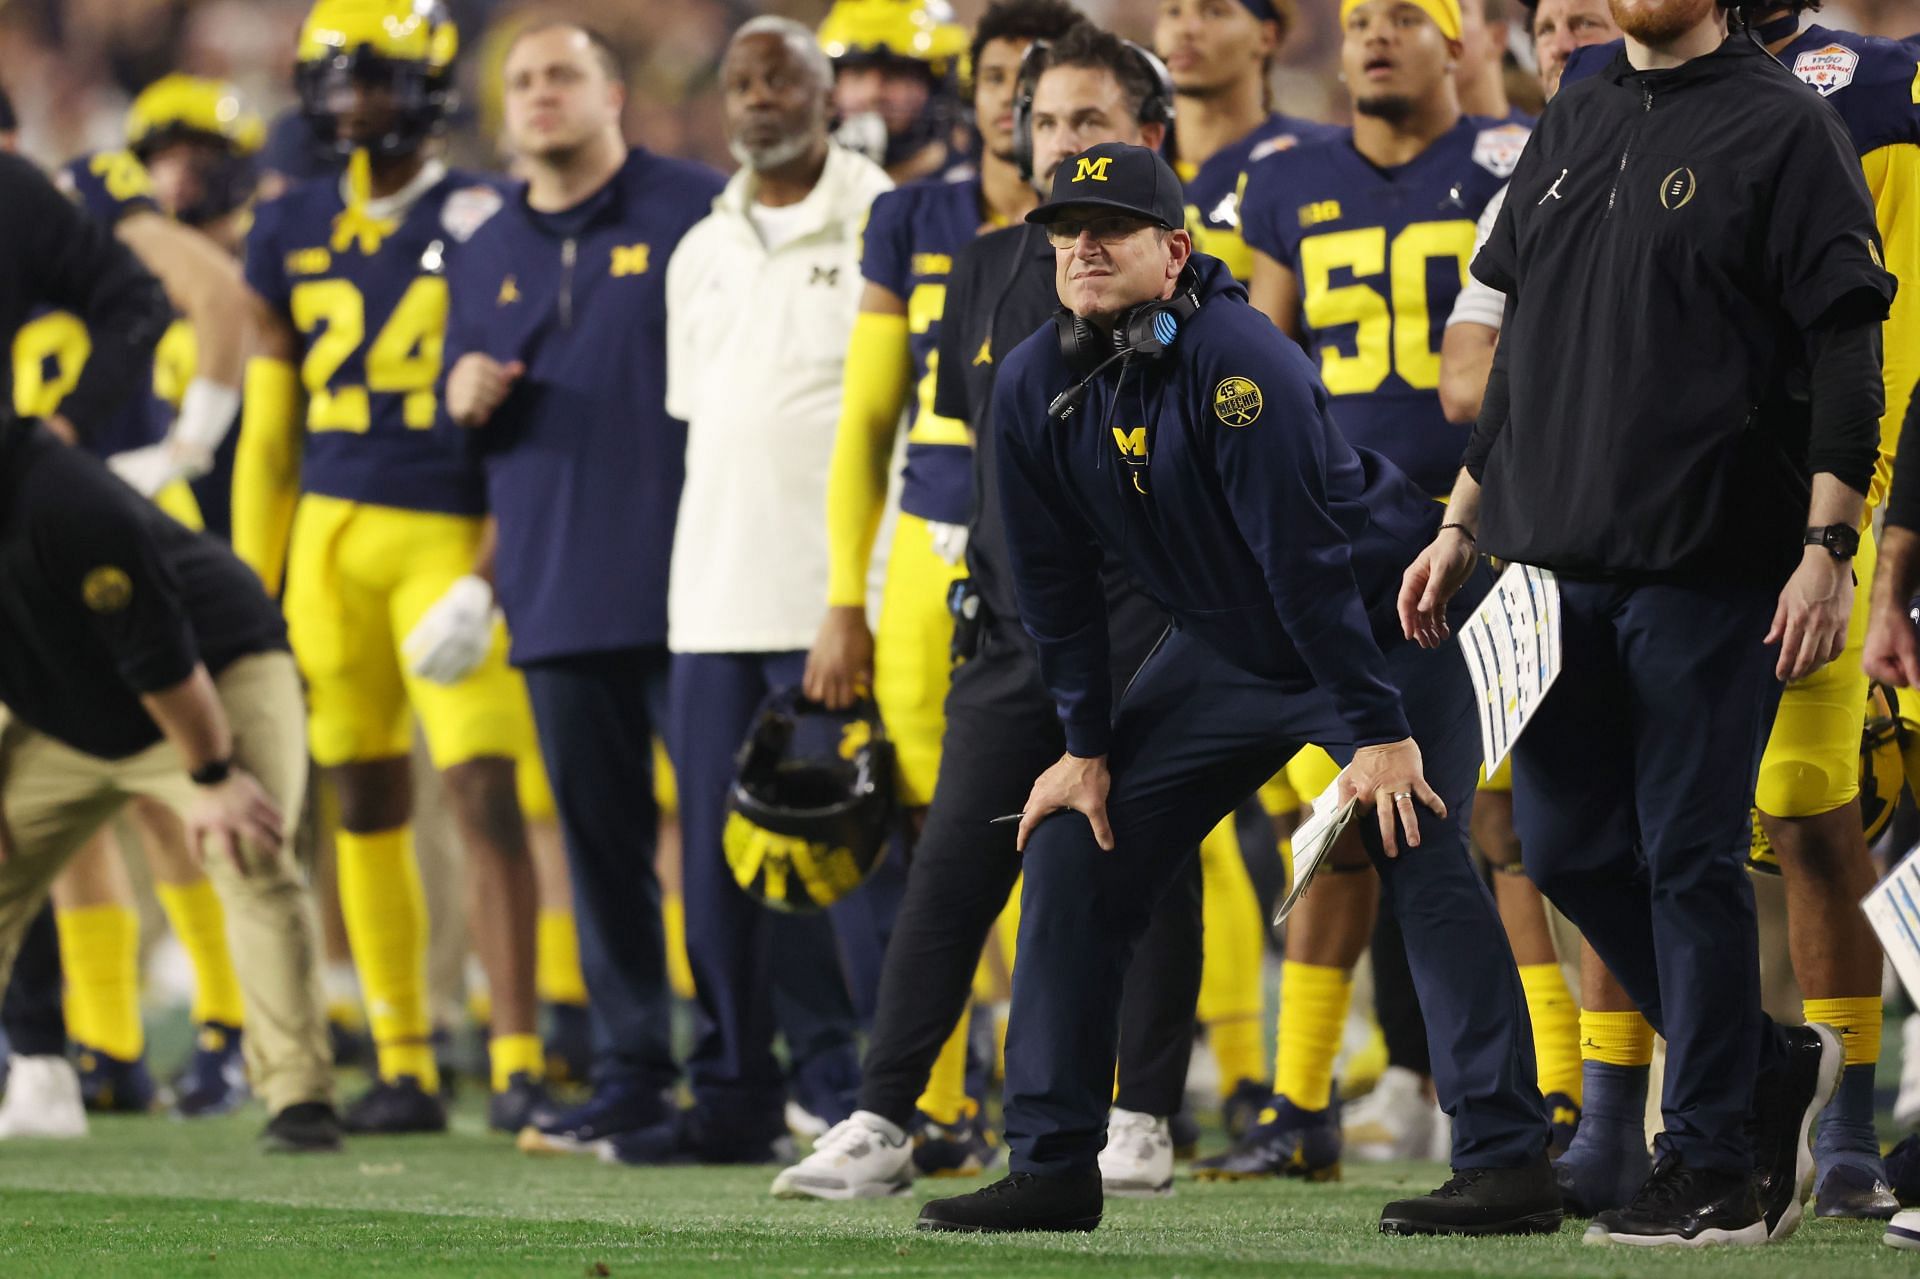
1389, 337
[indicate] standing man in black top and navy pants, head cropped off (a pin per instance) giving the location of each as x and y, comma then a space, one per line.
1714, 220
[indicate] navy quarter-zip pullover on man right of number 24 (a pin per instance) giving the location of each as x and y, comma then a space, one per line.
583, 460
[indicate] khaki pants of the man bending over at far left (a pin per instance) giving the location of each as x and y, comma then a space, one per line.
57, 798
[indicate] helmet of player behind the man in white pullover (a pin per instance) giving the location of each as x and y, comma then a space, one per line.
921, 34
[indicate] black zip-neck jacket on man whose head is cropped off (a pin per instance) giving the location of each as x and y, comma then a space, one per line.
1675, 249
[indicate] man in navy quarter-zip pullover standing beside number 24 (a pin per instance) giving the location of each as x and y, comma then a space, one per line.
558, 368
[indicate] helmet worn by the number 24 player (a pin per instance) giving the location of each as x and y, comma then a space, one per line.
404, 47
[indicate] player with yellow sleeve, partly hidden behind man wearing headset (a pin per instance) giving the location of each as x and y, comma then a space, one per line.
911, 239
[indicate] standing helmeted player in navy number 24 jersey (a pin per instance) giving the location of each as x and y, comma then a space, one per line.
341, 483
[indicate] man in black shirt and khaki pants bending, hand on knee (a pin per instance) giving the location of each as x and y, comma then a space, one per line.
143, 660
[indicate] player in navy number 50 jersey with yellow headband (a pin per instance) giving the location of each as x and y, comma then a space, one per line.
1360, 247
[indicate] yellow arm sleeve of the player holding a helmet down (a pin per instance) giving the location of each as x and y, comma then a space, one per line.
873, 397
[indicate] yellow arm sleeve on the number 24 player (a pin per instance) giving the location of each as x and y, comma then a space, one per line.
268, 470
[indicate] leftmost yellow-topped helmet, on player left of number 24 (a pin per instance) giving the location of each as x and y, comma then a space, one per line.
193, 109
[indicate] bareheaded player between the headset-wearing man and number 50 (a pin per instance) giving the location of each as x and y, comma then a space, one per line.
1220, 55
